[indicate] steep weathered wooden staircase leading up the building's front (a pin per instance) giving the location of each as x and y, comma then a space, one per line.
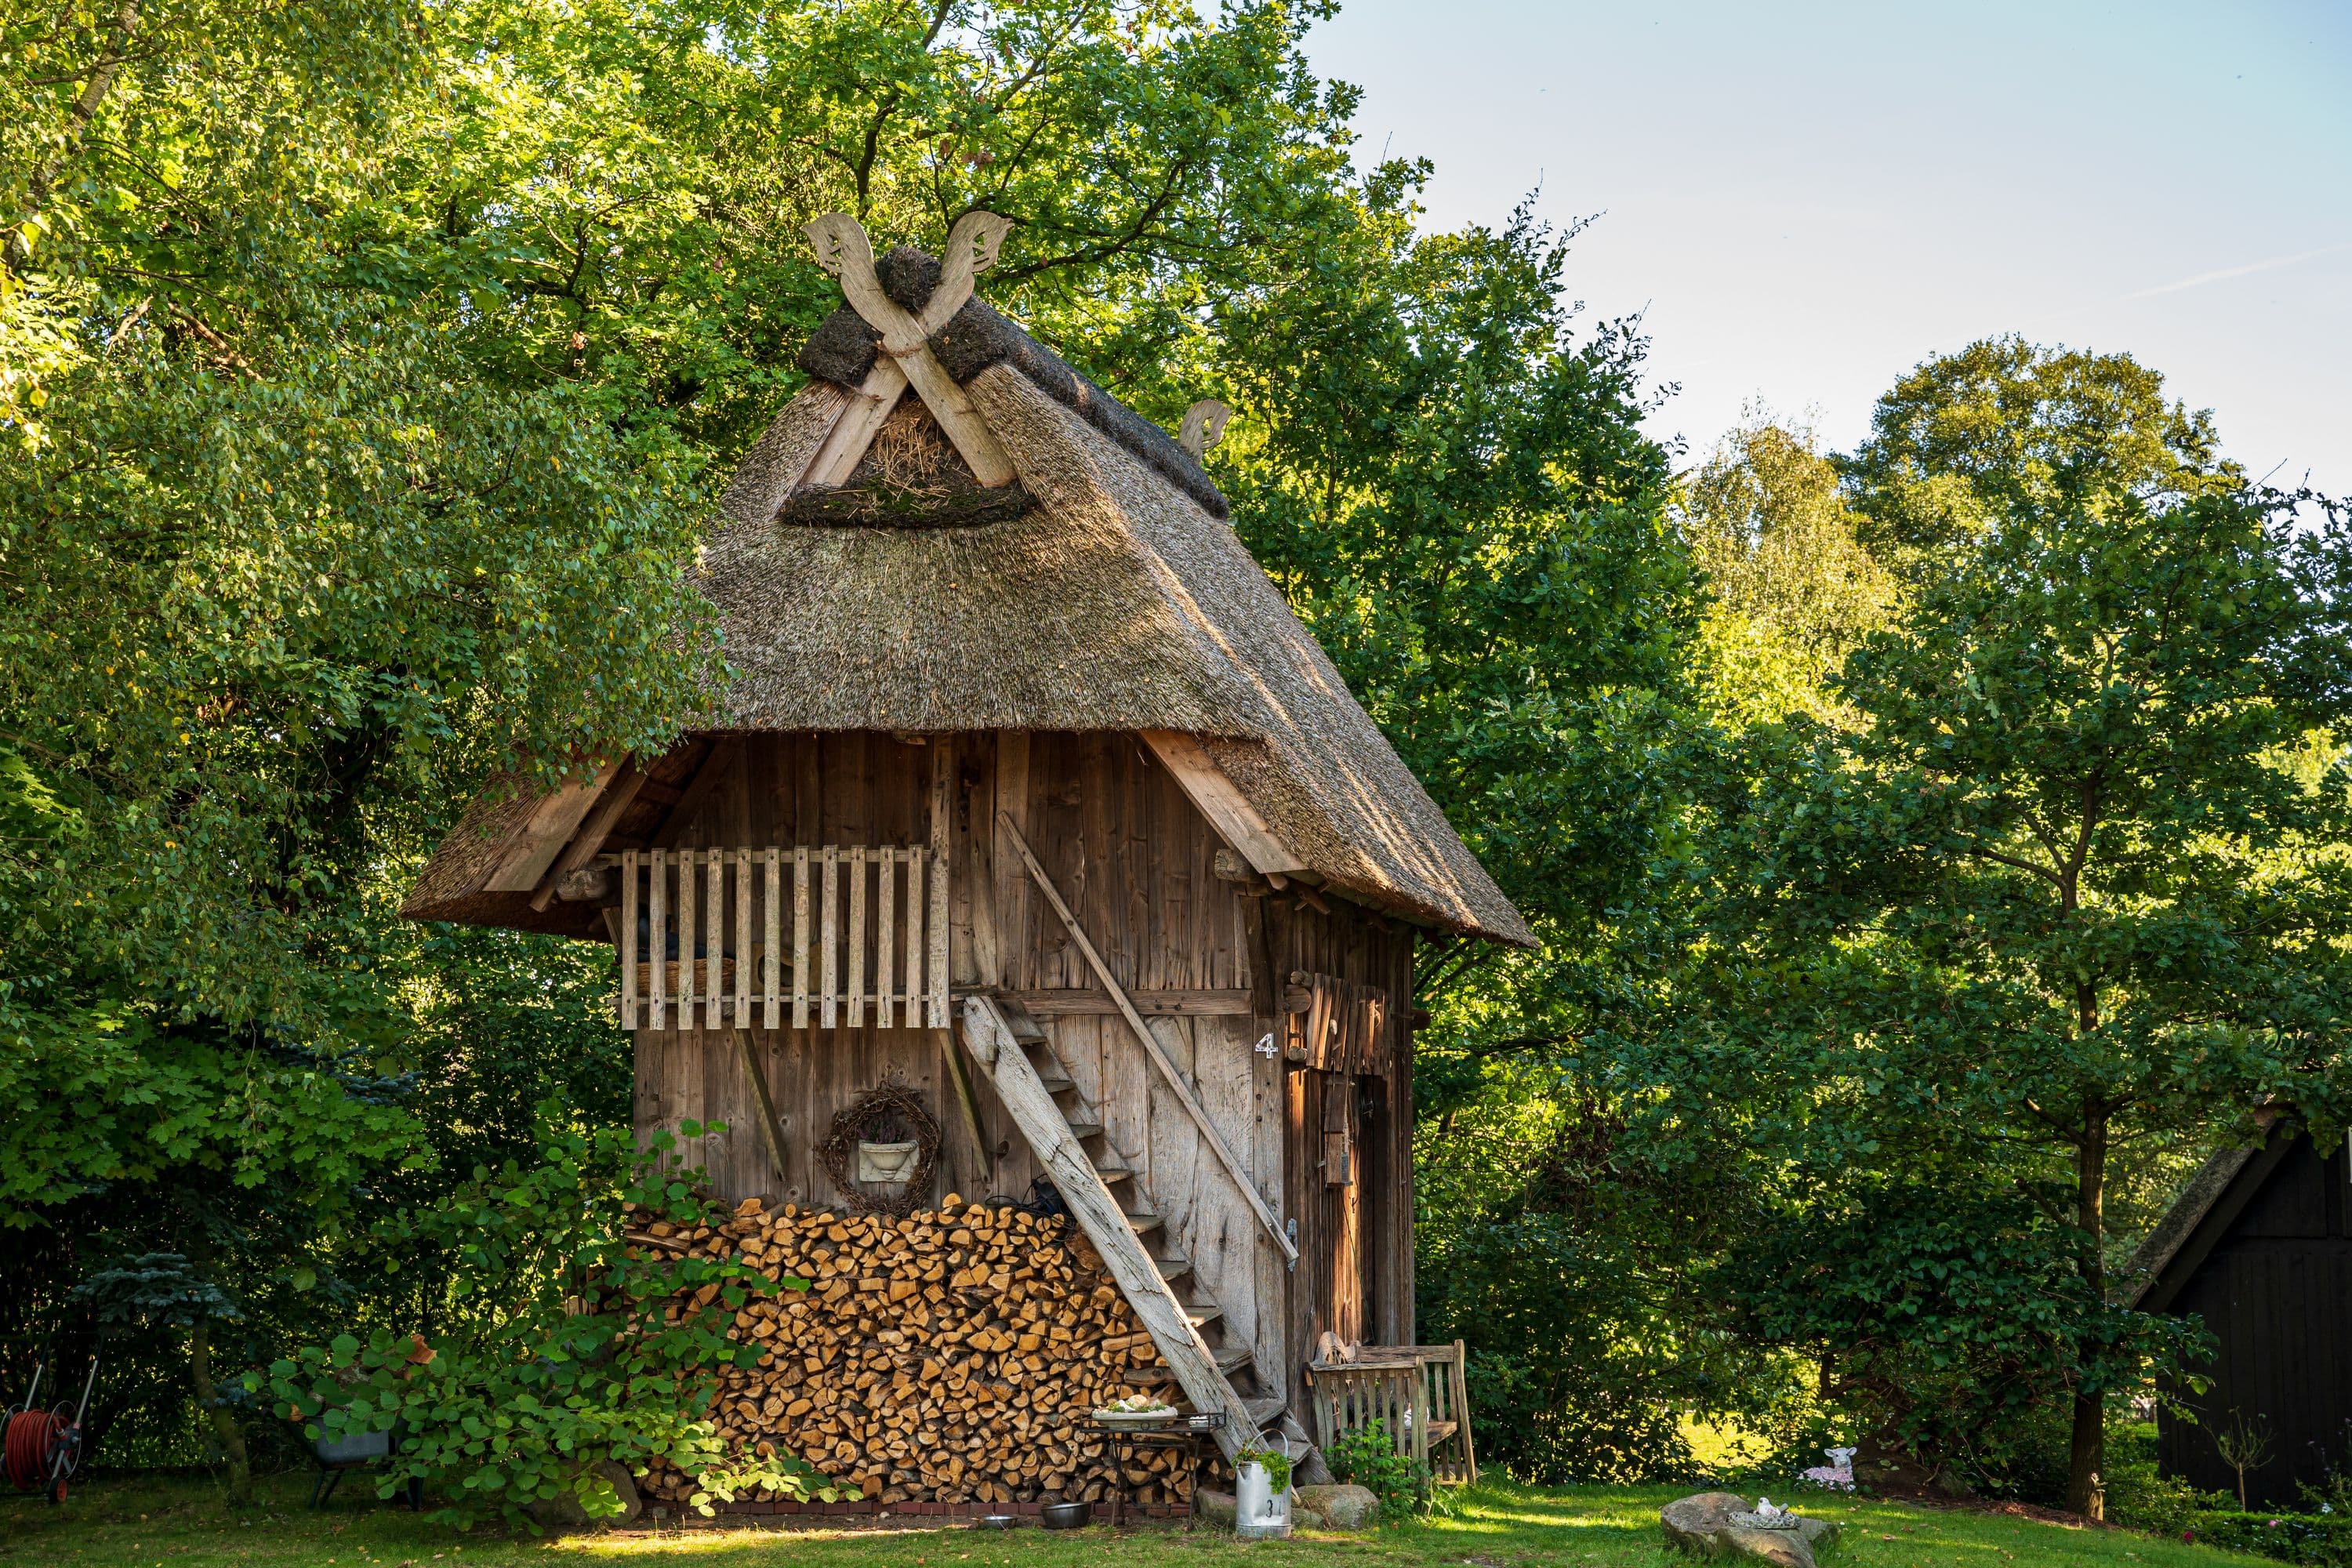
1111, 1207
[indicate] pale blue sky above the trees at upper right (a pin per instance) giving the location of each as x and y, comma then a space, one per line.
1805, 201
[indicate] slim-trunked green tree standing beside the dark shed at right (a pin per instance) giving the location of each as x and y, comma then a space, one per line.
2080, 876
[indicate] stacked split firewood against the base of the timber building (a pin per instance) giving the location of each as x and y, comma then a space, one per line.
944, 1358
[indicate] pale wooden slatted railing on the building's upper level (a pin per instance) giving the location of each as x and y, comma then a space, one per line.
824, 937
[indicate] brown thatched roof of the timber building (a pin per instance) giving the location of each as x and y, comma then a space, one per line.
1114, 598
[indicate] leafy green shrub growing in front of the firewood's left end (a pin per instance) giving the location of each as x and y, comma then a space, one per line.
573, 1346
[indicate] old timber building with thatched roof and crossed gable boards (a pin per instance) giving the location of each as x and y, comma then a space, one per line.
1029, 770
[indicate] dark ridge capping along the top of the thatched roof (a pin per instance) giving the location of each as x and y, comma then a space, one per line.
843, 349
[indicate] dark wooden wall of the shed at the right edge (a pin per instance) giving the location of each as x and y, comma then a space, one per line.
2276, 1292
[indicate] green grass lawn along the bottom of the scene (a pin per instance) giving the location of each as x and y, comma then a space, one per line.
182, 1525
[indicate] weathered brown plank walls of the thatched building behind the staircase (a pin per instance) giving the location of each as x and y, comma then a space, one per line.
1137, 864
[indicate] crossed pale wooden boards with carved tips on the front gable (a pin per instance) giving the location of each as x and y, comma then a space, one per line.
907, 347
